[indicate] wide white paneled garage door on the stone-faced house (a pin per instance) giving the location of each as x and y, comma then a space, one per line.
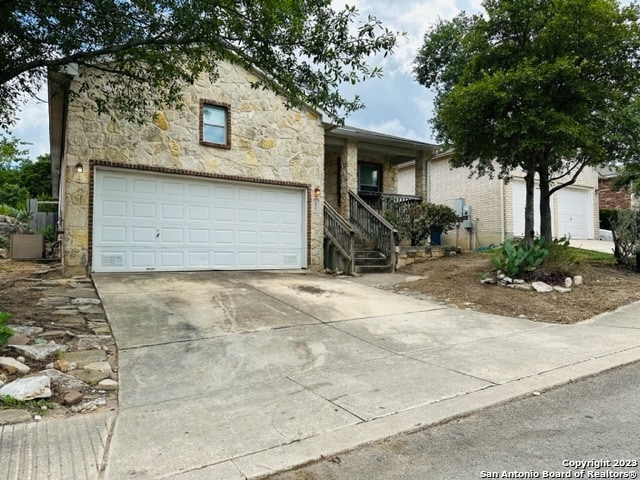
153, 222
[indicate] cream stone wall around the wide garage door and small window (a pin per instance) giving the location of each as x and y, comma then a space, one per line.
268, 142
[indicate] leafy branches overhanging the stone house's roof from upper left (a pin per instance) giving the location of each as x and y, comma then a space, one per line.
304, 47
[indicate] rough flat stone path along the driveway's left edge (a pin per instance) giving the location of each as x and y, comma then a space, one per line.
72, 363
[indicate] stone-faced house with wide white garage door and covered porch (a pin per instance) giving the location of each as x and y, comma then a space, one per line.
234, 181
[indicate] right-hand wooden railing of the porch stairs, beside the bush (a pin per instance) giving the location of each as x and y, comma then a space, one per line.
373, 227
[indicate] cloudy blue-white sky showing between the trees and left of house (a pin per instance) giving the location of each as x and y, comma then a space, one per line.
395, 104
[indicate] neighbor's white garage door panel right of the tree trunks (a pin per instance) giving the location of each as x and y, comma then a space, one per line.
574, 213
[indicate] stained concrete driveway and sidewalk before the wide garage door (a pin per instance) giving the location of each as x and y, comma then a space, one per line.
233, 375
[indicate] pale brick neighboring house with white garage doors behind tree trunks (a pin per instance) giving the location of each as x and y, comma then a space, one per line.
497, 207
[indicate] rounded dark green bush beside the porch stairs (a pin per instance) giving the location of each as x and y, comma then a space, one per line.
417, 221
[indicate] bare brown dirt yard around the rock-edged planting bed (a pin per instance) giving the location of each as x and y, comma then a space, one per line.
455, 281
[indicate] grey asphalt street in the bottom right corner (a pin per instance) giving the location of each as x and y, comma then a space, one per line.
586, 429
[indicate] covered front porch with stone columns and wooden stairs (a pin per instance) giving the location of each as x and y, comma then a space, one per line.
360, 185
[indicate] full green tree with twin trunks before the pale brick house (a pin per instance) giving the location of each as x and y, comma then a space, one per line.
546, 86
